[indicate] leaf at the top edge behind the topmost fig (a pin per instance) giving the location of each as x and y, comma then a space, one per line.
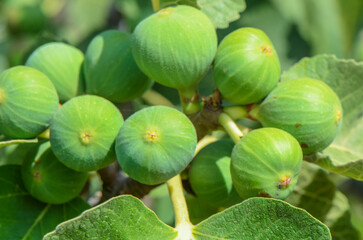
221, 13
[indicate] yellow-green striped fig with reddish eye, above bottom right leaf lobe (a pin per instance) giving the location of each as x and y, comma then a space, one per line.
266, 161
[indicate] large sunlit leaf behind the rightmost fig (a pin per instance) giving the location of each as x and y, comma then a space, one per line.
345, 154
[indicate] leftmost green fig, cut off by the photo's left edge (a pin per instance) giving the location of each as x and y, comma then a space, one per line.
28, 101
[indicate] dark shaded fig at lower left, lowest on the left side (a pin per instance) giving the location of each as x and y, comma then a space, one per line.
47, 179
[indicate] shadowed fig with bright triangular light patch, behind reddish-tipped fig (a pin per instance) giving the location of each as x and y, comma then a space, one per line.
210, 176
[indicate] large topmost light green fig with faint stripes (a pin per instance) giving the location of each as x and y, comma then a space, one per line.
175, 46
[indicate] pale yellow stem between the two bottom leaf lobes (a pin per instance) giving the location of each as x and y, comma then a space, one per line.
182, 221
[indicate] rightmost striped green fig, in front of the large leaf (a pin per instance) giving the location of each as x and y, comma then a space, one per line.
306, 108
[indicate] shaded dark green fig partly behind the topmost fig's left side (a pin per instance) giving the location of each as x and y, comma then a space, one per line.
118, 81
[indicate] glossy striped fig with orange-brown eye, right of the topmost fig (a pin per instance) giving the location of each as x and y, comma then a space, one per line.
246, 67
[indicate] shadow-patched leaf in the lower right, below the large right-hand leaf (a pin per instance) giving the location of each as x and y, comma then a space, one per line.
318, 195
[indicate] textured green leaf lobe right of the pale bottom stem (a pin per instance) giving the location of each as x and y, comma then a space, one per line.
262, 218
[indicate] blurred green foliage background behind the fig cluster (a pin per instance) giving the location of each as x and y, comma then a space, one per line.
297, 28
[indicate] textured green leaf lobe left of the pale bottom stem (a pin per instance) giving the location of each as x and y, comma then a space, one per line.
123, 217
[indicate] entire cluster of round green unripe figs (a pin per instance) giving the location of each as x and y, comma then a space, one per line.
76, 97
